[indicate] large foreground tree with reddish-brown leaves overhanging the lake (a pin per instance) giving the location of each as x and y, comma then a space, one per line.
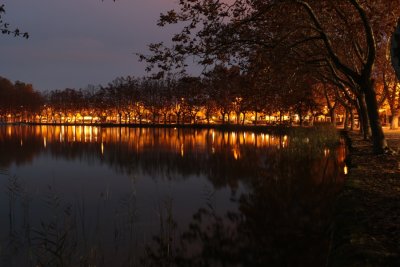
343, 36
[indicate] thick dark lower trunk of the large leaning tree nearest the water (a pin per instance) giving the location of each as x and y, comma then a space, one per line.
378, 138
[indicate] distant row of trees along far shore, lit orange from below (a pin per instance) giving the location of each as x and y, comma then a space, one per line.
223, 95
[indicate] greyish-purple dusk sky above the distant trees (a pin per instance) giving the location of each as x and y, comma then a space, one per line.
74, 43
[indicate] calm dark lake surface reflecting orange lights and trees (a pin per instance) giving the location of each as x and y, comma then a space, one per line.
80, 196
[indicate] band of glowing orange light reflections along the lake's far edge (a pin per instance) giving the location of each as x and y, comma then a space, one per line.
147, 136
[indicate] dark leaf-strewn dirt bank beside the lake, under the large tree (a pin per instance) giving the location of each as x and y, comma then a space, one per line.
366, 231
